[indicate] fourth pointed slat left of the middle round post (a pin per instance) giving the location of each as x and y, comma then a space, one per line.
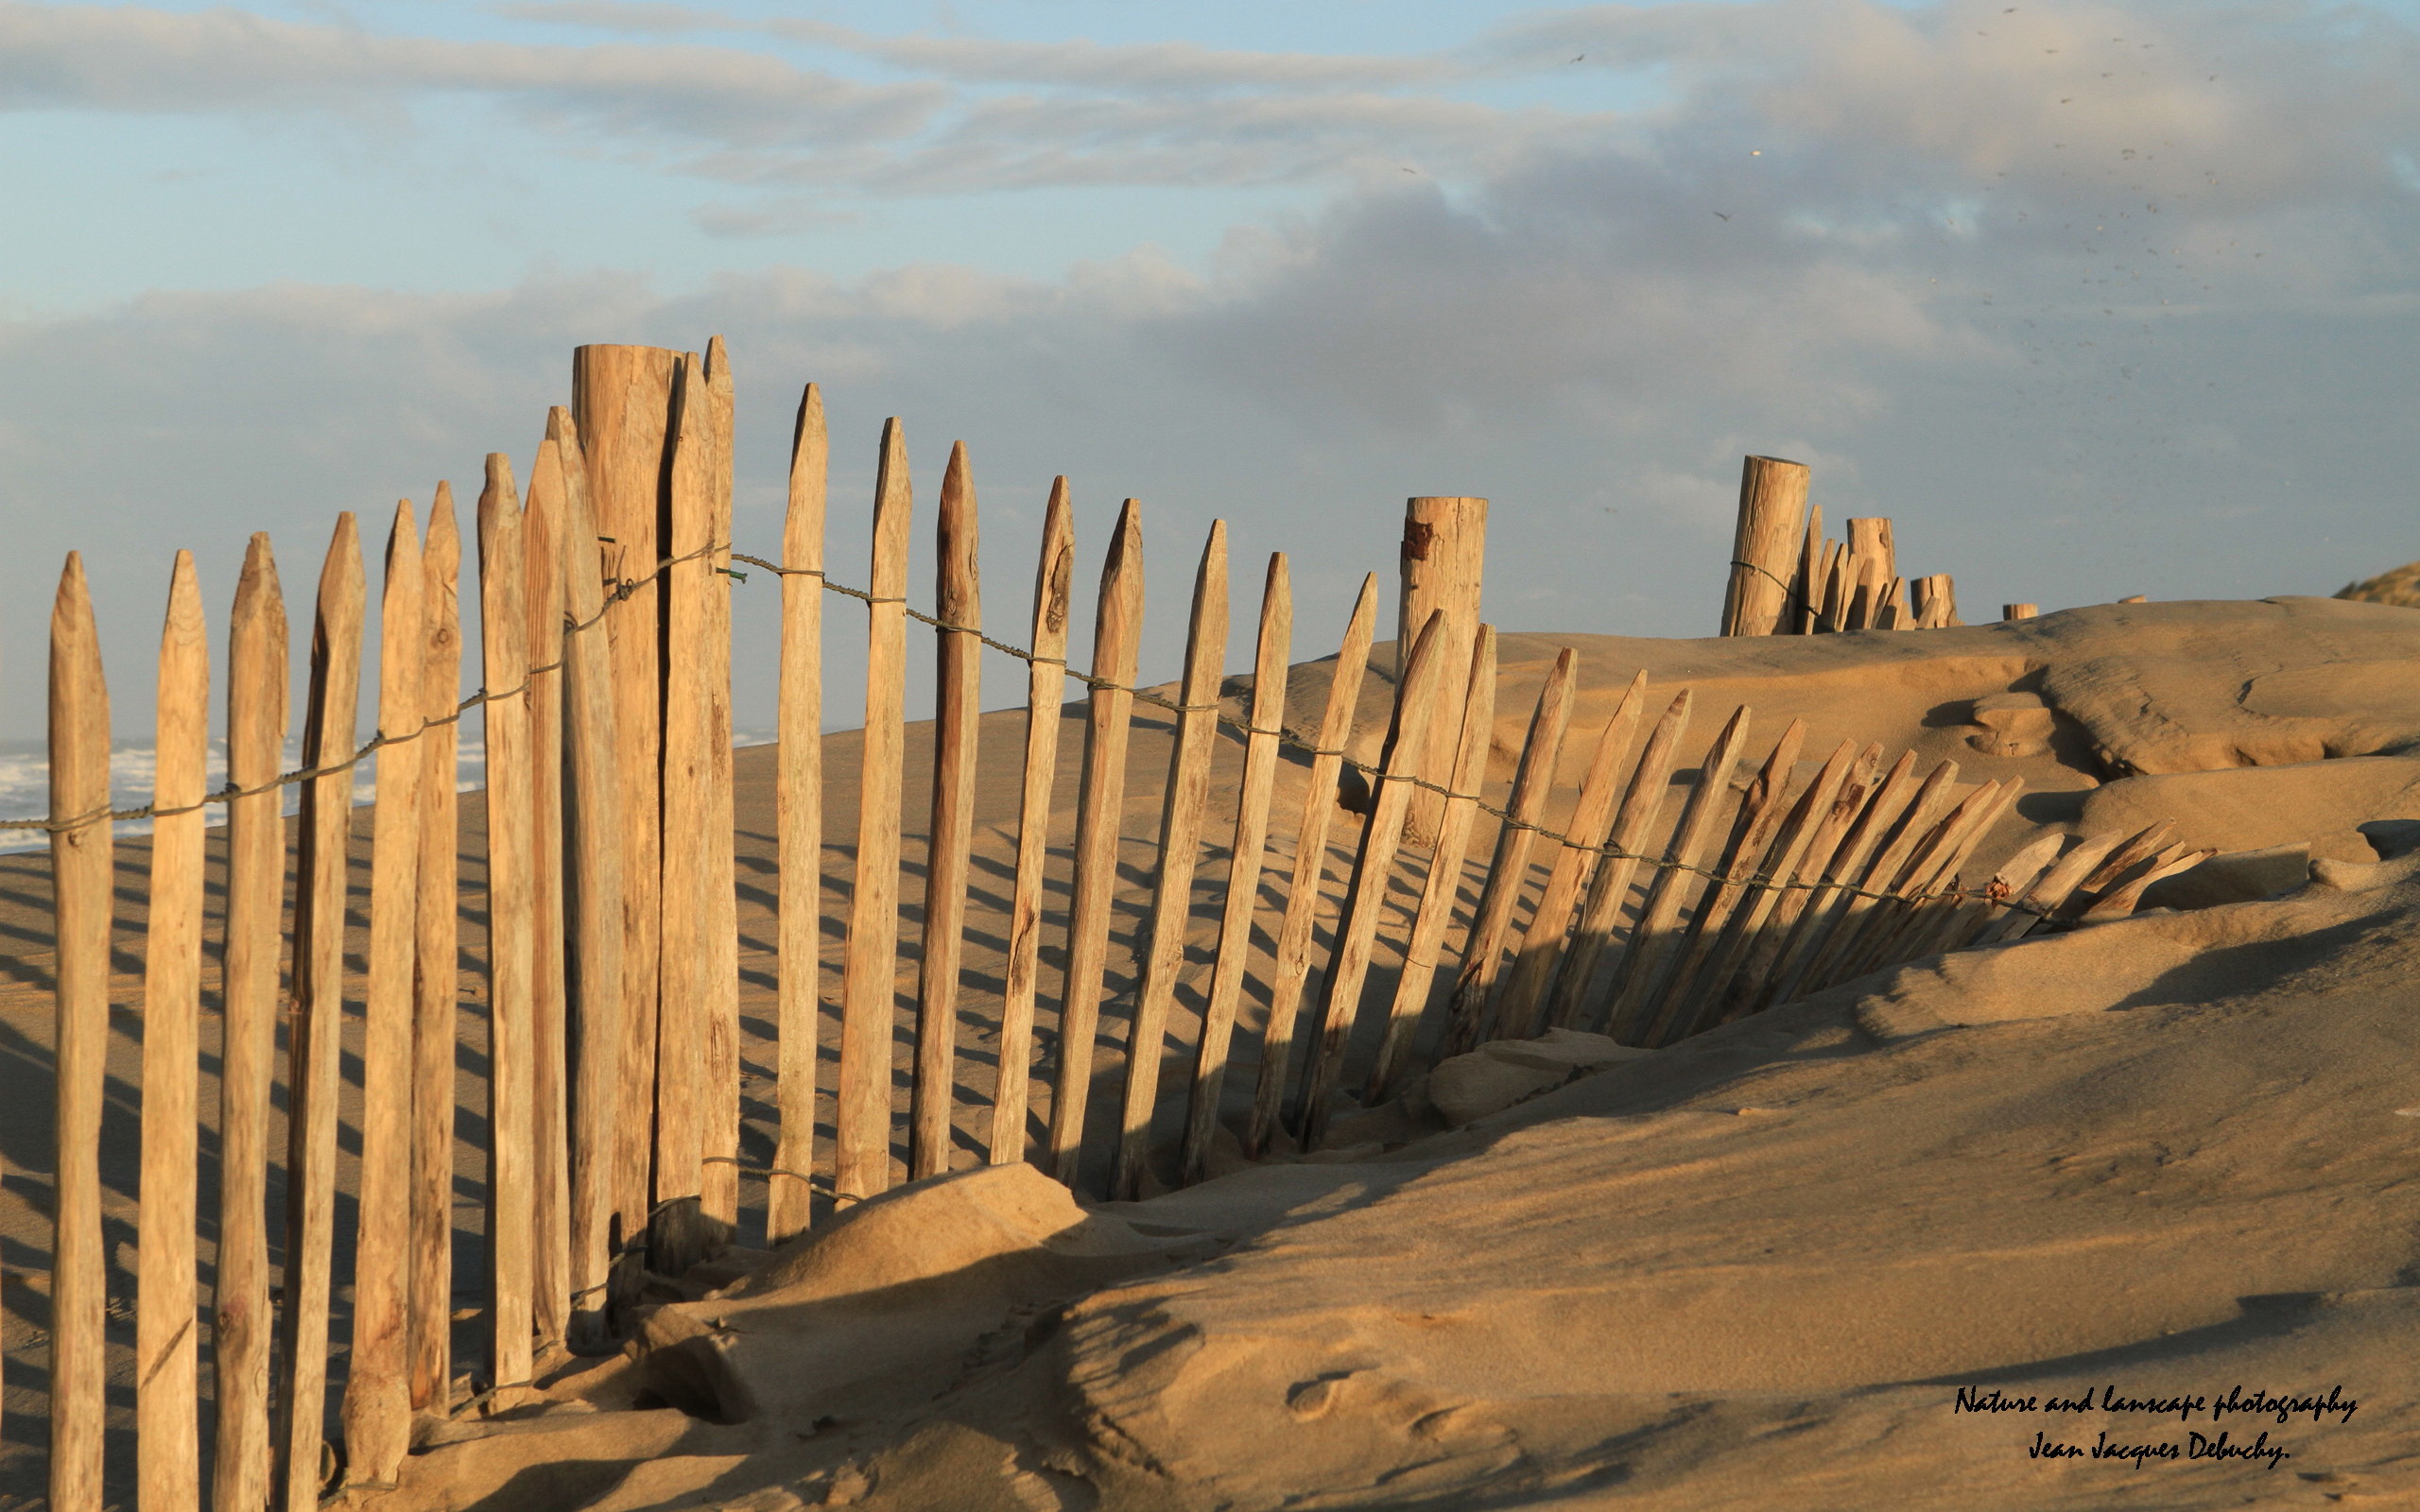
1100, 807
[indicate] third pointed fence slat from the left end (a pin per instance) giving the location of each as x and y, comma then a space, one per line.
241, 1455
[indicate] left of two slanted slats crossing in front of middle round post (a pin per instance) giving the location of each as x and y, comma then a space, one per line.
1366, 896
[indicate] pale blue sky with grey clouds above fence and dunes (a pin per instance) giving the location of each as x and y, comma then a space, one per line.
2092, 299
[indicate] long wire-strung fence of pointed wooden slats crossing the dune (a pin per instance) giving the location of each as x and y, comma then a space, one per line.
613, 959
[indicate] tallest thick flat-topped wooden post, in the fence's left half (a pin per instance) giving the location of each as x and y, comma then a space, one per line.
623, 405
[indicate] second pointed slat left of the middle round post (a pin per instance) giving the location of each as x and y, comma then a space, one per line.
1245, 860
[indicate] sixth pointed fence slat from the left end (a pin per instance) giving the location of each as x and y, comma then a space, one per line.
434, 964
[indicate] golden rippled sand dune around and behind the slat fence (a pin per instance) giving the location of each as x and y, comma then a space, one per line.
2165, 1155
